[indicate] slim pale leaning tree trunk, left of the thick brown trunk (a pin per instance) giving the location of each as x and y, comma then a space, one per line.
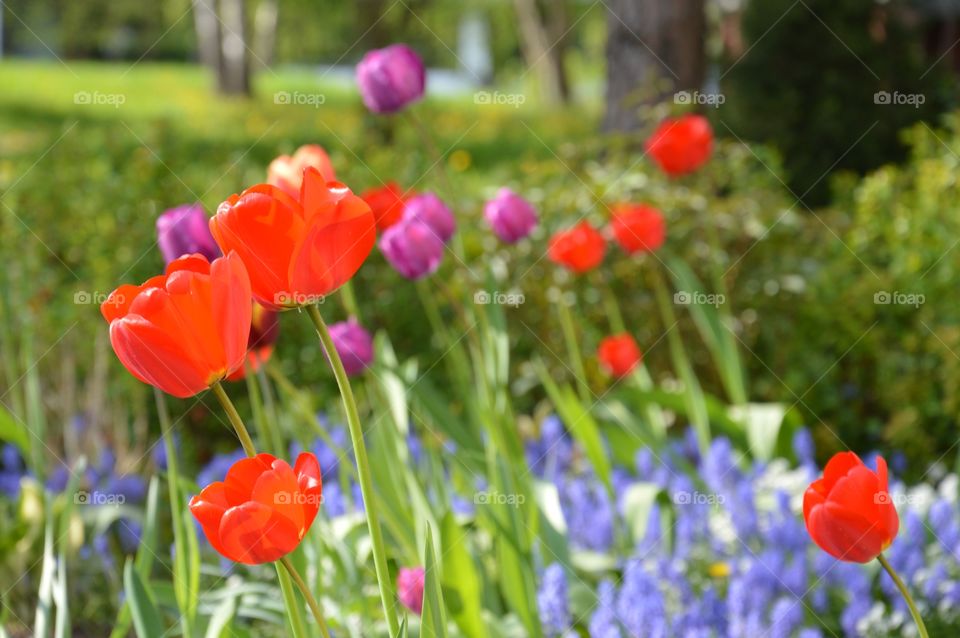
543, 46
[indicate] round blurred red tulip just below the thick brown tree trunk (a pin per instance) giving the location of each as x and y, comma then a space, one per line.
681, 145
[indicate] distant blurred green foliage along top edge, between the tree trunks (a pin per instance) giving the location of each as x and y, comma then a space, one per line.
308, 32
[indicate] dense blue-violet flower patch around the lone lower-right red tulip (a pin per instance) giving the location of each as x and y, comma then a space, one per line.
730, 556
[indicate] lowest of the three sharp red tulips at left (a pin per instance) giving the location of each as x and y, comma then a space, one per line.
262, 509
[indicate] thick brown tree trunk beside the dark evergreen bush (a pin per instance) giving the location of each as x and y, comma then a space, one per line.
654, 48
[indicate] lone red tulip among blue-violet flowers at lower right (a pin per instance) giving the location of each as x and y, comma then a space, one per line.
848, 512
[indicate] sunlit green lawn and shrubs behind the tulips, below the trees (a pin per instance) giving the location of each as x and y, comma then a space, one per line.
83, 184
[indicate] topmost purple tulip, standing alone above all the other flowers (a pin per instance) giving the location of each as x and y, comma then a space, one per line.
390, 78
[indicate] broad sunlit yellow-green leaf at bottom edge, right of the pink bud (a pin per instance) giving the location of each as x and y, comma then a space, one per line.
461, 582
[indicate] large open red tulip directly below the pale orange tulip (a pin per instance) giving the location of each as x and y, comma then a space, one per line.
296, 251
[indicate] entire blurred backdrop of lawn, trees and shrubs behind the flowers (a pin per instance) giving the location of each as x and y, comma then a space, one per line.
833, 190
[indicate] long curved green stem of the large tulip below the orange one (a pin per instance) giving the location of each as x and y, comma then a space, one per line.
363, 470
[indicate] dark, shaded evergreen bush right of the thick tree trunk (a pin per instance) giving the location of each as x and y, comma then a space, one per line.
808, 84
